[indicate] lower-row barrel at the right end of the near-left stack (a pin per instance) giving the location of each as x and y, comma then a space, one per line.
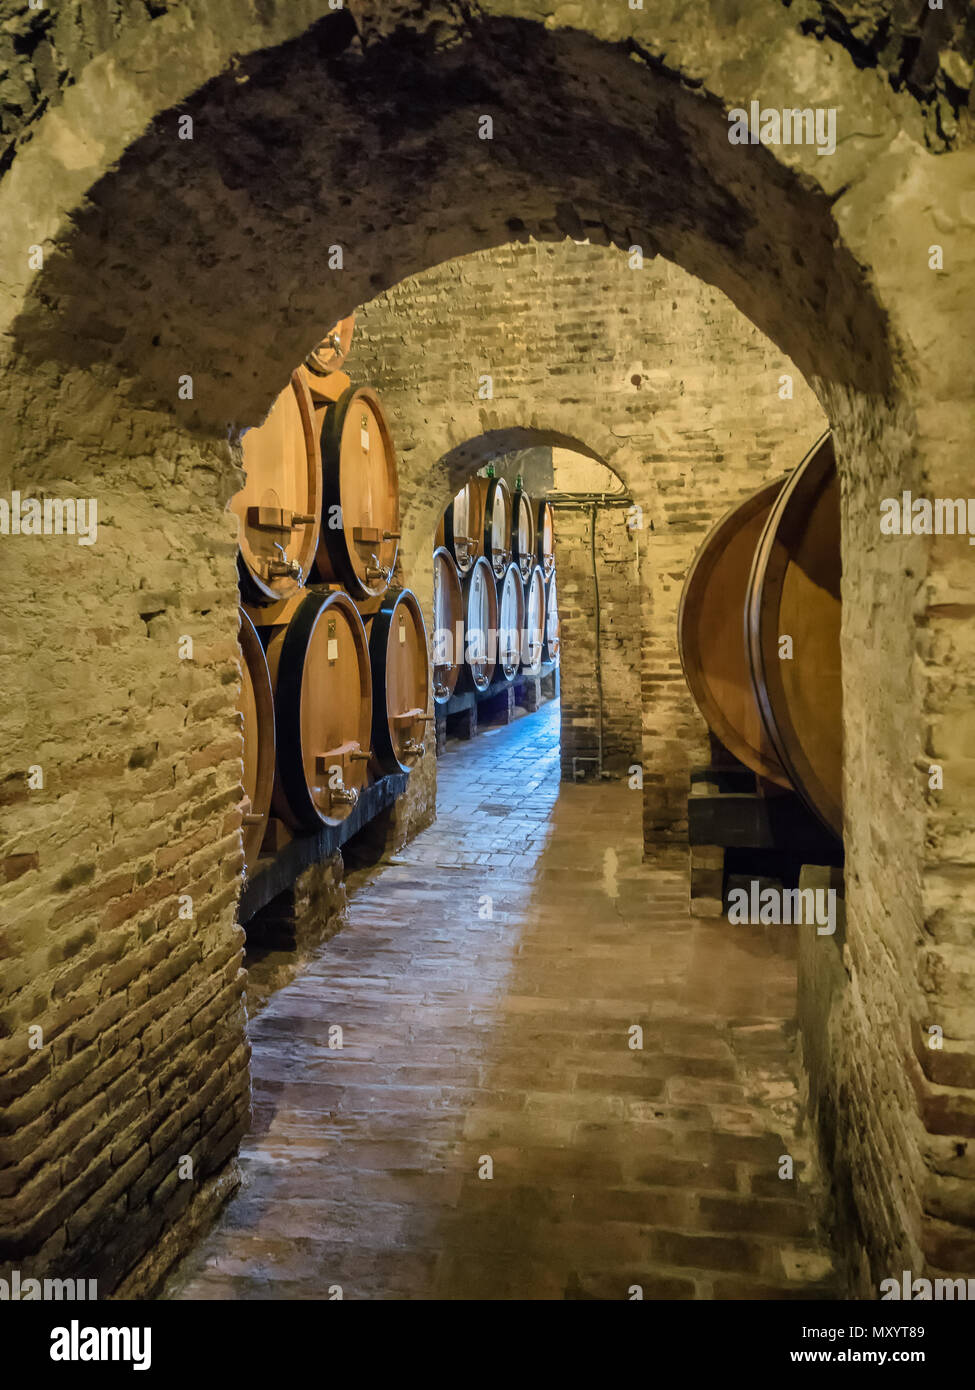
401, 680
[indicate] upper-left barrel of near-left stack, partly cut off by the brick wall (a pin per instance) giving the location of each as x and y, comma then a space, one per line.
280, 505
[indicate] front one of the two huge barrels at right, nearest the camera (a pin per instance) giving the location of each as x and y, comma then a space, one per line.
795, 593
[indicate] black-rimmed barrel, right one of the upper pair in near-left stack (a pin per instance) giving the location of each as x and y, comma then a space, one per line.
361, 516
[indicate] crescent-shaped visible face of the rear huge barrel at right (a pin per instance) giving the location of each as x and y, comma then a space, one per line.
711, 635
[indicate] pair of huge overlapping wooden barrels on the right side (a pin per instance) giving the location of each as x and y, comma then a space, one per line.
760, 633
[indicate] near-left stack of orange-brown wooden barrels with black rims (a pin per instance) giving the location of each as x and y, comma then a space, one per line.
335, 657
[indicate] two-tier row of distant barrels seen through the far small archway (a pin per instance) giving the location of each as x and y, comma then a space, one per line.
496, 600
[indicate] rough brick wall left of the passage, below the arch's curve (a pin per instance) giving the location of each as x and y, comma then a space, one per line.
122, 1018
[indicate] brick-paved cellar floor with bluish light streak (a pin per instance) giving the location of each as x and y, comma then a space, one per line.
500, 1031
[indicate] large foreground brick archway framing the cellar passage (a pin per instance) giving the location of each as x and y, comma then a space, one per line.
168, 259
